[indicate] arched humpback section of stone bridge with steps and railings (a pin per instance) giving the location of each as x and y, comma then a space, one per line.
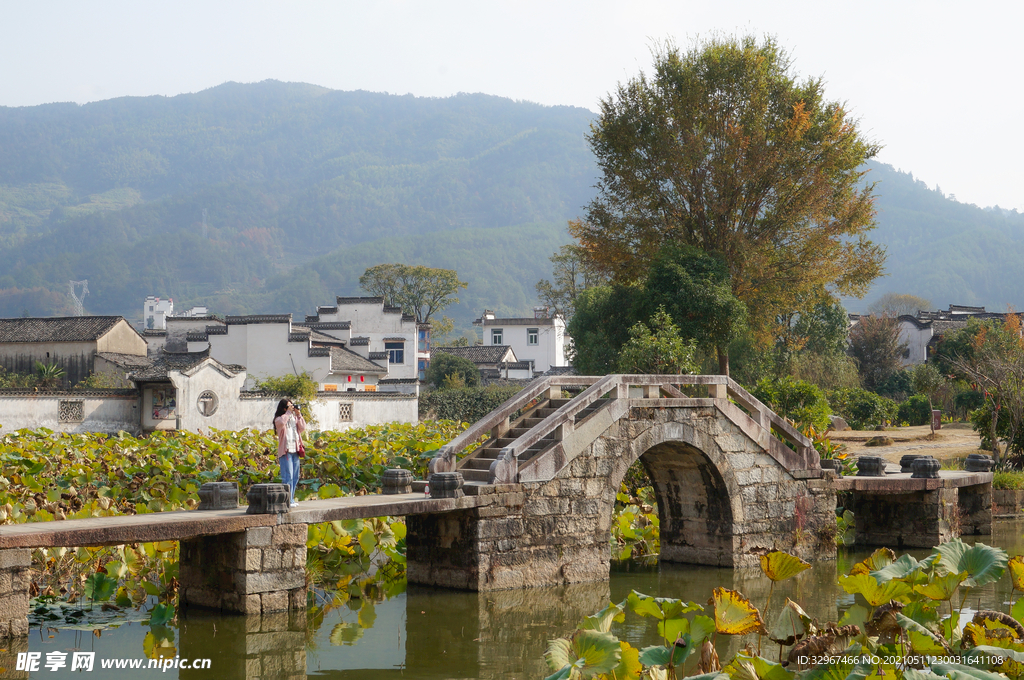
729, 488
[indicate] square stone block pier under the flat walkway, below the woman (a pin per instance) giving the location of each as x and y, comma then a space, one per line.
259, 570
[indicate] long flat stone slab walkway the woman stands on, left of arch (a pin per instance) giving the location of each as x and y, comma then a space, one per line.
192, 524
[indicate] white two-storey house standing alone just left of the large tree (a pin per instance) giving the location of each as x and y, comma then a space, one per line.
540, 339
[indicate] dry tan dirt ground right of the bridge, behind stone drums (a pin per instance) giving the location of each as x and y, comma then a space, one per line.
954, 441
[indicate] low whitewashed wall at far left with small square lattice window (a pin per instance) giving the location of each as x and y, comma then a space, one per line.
104, 412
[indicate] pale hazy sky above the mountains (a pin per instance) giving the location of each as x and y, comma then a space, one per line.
937, 83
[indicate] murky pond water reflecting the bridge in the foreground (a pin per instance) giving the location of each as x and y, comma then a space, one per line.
437, 634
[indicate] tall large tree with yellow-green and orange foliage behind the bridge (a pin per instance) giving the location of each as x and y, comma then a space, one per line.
722, 149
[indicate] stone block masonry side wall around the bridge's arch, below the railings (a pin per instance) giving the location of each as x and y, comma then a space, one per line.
723, 500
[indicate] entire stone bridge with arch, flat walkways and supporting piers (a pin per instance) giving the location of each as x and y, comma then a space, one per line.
734, 482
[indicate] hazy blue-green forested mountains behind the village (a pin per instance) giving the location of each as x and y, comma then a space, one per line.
305, 188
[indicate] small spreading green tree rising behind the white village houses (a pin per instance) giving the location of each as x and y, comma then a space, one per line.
418, 290
